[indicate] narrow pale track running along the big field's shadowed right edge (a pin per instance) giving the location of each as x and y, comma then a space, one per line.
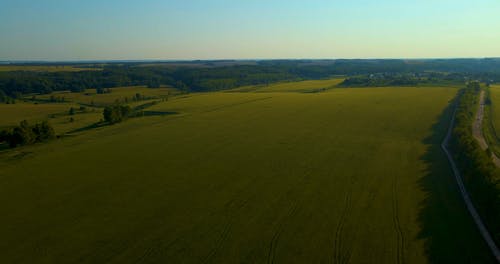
472, 210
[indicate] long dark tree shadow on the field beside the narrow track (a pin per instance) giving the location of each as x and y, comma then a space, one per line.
447, 229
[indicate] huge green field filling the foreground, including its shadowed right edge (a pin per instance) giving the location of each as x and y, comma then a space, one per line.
342, 176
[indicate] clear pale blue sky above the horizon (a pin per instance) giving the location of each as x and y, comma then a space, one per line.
246, 29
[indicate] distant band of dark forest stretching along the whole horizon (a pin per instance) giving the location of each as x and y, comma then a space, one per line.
212, 76
